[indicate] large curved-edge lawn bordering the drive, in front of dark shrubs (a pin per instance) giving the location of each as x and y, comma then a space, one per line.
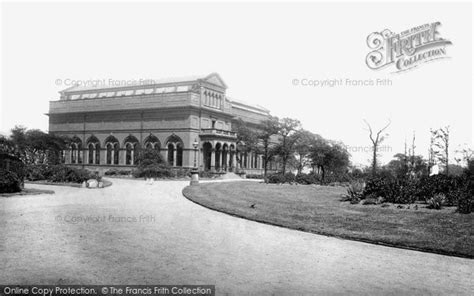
319, 209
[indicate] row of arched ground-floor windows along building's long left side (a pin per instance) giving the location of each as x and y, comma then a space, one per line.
131, 147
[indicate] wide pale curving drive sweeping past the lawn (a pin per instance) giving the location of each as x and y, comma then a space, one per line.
179, 242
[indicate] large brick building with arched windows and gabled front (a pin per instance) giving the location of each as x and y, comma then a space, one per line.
108, 125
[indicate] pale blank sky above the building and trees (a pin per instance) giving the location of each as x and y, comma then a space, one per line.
267, 53
